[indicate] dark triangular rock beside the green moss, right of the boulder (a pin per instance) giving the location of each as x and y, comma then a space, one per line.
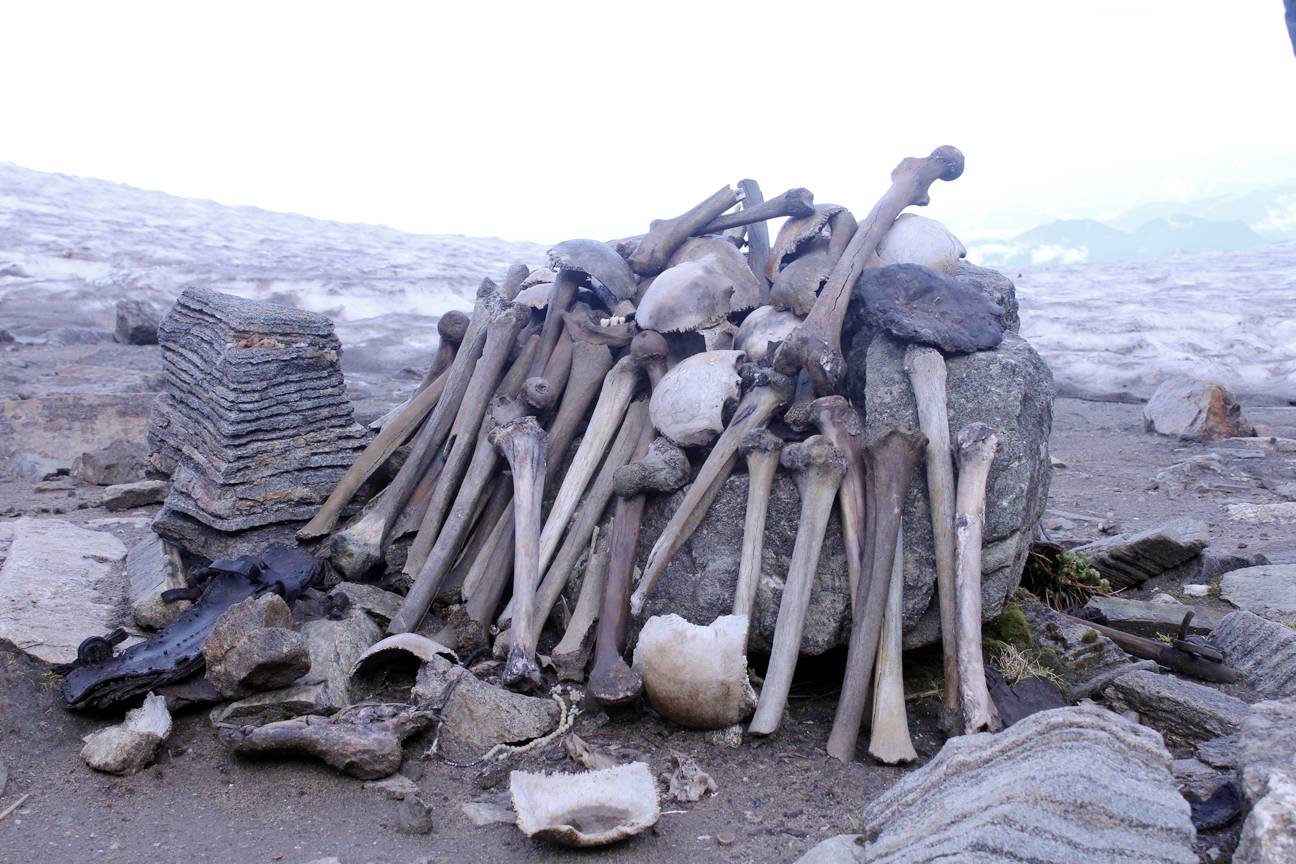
1085, 661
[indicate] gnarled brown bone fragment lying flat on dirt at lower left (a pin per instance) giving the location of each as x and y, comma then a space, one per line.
362, 740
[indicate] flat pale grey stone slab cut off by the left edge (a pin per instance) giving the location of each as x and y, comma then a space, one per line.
60, 585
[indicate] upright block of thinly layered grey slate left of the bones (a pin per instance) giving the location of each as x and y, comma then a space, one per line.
255, 424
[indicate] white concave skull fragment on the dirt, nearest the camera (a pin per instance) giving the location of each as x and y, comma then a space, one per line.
588, 809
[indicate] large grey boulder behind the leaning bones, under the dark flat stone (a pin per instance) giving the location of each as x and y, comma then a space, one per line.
1010, 389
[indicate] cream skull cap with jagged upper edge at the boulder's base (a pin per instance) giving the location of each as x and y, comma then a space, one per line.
694, 676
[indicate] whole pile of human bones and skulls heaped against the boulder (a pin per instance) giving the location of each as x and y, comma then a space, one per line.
640, 349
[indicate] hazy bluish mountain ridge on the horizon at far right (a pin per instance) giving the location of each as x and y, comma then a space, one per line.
1159, 230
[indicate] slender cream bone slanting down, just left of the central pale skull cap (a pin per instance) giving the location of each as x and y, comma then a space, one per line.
619, 387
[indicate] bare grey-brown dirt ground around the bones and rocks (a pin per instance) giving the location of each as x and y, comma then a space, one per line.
776, 799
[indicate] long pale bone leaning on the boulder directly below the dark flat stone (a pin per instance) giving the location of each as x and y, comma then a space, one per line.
926, 369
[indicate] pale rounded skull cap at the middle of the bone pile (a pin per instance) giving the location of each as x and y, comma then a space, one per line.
689, 406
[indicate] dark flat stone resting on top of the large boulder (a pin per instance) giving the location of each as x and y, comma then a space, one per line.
921, 305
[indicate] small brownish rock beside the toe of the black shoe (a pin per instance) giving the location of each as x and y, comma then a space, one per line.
253, 648
